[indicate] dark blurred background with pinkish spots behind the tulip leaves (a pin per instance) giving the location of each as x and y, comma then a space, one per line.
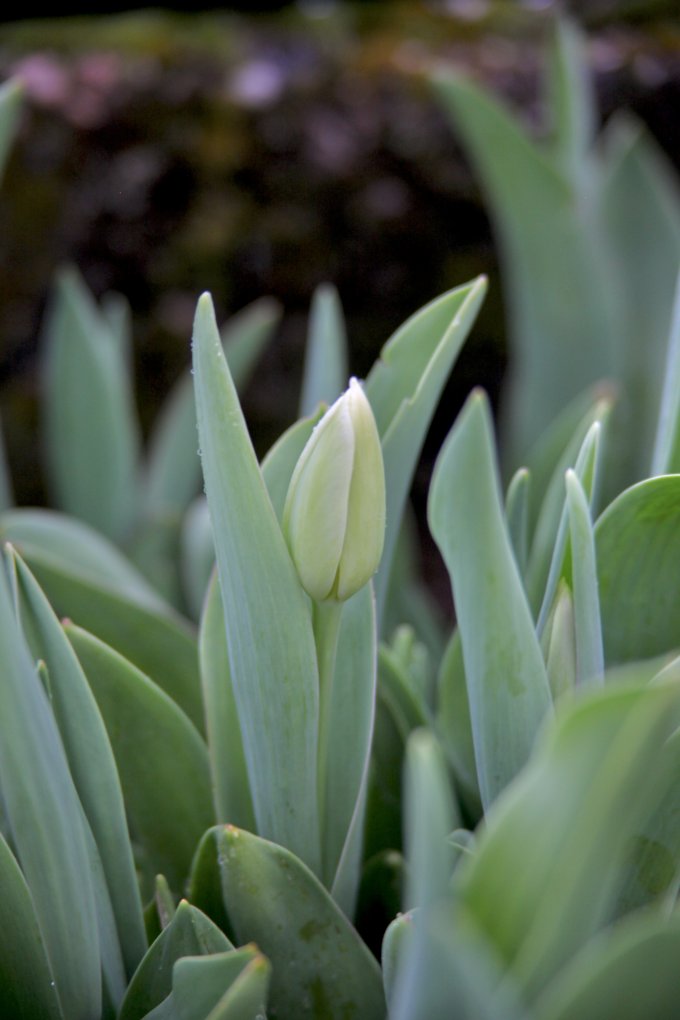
167, 154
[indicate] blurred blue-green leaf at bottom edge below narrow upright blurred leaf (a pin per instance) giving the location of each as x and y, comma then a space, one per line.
447, 971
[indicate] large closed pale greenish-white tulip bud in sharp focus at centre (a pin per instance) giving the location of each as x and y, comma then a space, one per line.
334, 519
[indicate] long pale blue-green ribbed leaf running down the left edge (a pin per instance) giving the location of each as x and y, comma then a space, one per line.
46, 825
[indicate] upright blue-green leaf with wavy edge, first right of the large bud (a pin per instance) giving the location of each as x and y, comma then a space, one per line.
508, 688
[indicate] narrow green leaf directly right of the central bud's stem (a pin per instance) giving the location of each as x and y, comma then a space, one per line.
352, 711
